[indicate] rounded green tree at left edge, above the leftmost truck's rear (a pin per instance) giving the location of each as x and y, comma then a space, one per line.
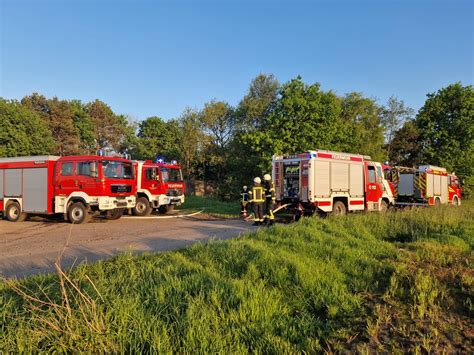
23, 131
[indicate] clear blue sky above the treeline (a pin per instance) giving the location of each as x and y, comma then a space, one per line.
157, 57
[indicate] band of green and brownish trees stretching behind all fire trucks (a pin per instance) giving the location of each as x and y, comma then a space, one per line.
230, 145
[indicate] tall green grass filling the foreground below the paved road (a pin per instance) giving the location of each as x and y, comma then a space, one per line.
369, 282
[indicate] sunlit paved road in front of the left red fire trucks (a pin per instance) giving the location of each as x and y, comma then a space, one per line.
31, 247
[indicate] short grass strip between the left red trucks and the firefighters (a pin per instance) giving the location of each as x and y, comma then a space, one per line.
211, 206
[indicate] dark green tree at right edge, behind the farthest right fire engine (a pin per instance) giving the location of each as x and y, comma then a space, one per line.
446, 126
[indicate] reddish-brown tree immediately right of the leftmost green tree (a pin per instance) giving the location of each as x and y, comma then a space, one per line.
59, 117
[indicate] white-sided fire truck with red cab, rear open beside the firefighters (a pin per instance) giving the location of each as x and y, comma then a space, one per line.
331, 182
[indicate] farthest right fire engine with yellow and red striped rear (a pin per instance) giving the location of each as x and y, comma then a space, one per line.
425, 185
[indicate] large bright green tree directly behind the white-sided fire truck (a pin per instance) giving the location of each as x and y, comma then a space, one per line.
304, 117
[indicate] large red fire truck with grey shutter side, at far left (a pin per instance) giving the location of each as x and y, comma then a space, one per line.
75, 186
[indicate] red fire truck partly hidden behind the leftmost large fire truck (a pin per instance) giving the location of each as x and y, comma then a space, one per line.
160, 186
